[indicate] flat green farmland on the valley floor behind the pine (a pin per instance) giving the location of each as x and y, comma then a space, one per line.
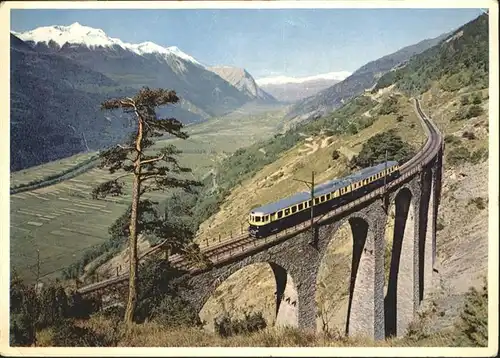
62, 220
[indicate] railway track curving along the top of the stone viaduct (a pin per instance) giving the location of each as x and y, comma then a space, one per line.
242, 245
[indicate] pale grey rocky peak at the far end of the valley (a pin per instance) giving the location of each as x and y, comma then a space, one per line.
243, 81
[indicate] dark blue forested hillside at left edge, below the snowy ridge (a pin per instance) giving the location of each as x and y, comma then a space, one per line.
55, 108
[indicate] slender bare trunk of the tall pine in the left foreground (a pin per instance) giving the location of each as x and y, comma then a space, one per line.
132, 284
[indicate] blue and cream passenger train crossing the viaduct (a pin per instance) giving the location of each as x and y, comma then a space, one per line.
275, 217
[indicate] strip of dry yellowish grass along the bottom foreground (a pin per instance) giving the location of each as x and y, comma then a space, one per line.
154, 335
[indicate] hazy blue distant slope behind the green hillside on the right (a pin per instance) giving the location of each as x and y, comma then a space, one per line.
362, 79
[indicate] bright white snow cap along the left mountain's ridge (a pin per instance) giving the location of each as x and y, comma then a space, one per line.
92, 38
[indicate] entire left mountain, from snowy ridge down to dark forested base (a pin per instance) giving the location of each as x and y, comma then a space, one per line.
61, 74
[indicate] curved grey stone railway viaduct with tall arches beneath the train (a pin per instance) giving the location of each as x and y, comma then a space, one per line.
295, 257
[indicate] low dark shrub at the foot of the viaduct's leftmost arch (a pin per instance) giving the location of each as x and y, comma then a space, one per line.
225, 326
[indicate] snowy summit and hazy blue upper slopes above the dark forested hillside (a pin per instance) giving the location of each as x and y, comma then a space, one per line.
144, 64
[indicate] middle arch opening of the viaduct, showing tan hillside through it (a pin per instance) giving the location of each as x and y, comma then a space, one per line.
346, 287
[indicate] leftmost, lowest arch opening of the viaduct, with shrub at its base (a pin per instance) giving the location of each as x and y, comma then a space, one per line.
242, 289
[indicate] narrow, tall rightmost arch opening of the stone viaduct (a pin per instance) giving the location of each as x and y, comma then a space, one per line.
399, 301
